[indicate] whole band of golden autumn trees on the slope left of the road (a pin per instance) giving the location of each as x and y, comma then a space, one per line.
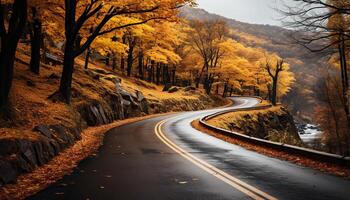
143, 39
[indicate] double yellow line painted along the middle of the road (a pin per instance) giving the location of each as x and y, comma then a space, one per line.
247, 189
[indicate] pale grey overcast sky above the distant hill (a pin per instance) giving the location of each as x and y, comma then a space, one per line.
251, 11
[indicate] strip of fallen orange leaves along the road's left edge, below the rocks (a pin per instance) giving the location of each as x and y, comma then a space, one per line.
63, 164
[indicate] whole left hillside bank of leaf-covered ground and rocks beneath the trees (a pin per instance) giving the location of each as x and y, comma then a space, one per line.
41, 127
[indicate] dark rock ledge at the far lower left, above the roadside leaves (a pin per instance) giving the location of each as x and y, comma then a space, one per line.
20, 156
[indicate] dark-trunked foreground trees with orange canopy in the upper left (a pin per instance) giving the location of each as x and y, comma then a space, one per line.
77, 23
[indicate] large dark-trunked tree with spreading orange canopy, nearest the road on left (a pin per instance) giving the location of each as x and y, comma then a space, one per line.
104, 18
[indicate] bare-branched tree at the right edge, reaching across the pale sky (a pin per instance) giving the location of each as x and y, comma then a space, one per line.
323, 27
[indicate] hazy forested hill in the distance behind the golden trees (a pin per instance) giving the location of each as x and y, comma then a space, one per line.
276, 40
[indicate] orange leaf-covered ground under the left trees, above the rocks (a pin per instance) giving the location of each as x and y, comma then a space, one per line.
31, 106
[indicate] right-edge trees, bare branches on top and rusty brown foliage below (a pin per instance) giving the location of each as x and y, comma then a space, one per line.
323, 27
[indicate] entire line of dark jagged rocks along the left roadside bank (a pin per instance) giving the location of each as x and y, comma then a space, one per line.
19, 156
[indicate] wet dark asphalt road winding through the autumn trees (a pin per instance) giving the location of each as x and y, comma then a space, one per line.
171, 160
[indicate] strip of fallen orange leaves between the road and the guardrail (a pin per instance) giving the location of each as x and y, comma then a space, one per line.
299, 160
